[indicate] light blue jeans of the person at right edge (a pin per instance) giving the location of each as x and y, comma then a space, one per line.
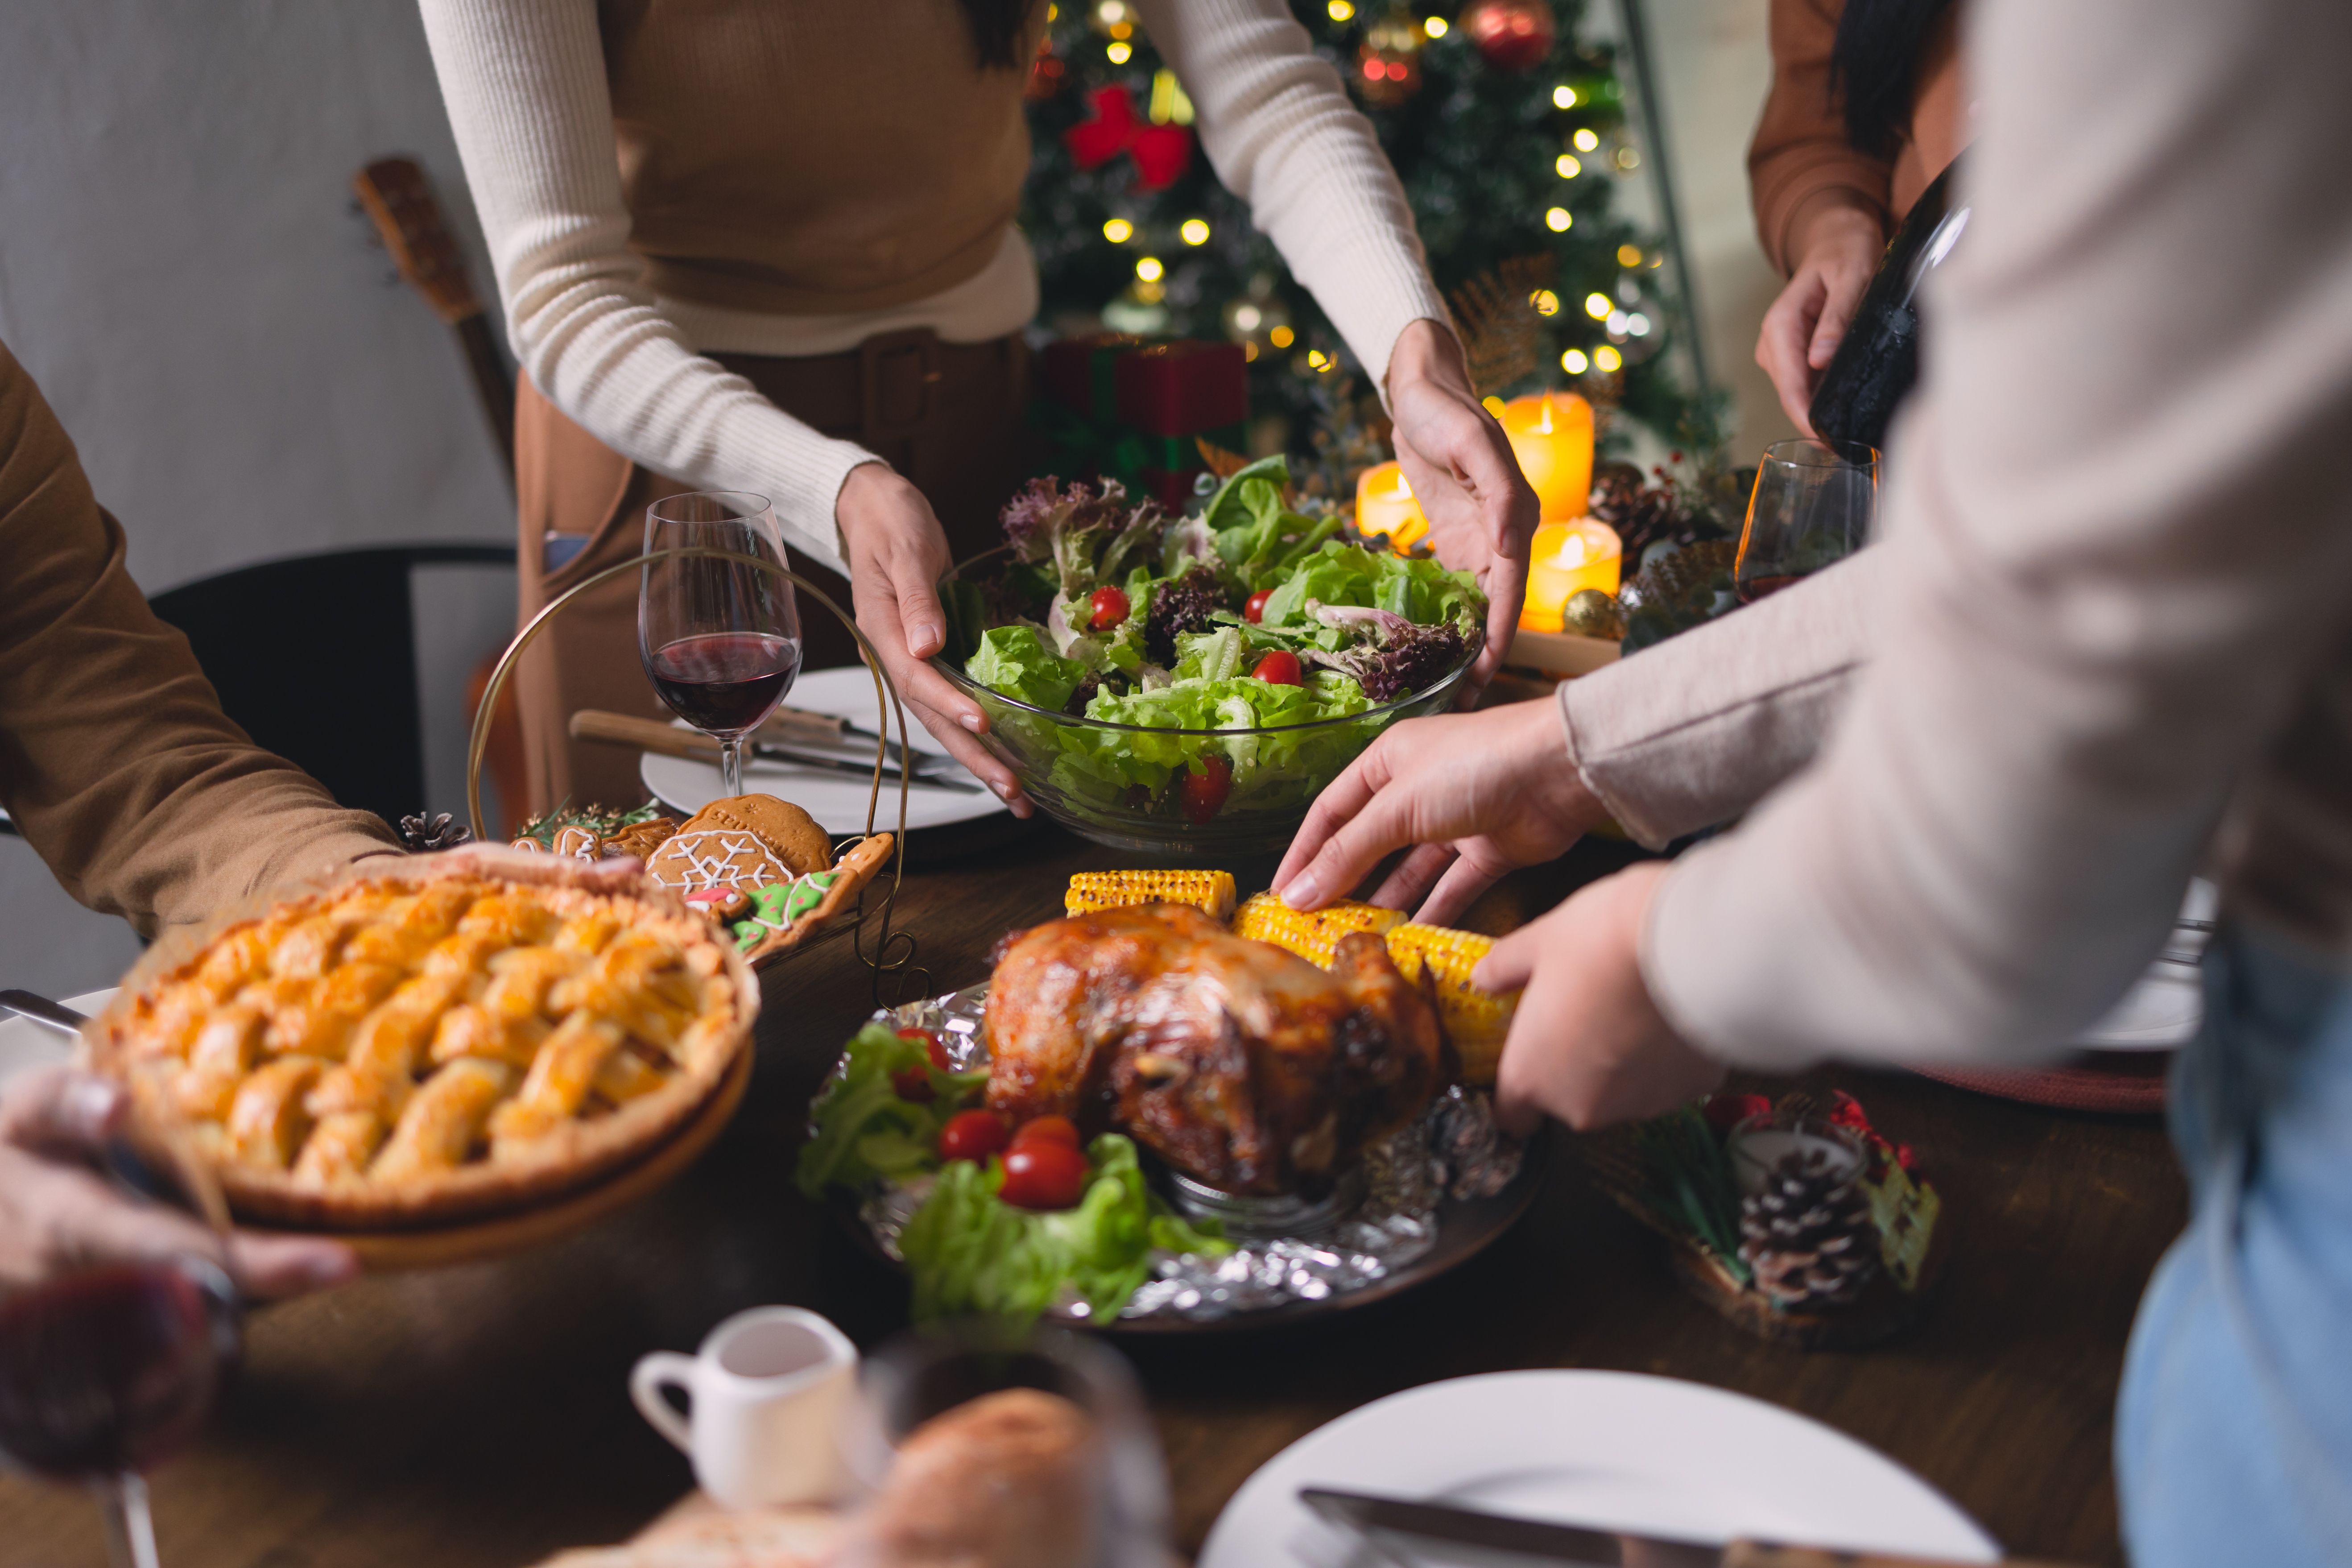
2233, 1433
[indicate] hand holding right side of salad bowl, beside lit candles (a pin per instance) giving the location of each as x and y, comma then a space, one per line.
1481, 509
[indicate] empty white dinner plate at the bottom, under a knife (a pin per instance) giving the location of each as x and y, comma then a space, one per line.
1619, 1452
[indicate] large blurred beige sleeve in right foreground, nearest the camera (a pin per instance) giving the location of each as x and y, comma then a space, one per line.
2118, 554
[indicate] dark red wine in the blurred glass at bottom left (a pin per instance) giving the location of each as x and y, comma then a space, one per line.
114, 1369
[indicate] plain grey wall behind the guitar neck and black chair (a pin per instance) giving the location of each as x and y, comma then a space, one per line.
182, 274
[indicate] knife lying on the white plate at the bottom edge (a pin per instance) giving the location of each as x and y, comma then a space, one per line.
1565, 1543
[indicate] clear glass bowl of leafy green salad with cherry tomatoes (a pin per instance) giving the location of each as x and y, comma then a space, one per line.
1194, 683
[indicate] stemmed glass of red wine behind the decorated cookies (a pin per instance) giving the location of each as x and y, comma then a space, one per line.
721, 641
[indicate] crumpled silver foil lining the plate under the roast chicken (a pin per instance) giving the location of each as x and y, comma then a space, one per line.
1426, 1202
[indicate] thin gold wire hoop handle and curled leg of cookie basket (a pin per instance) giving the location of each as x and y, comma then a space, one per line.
893, 951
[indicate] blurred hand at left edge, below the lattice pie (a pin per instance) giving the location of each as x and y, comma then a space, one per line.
60, 1217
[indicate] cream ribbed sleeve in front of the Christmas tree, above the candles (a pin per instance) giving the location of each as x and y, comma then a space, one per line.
1283, 135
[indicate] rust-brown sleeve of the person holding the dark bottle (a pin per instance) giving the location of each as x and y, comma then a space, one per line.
1800, 154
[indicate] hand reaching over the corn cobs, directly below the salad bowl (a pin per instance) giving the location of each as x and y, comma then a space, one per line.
1481, 793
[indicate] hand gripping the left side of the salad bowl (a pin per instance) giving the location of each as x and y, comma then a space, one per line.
897, 556
